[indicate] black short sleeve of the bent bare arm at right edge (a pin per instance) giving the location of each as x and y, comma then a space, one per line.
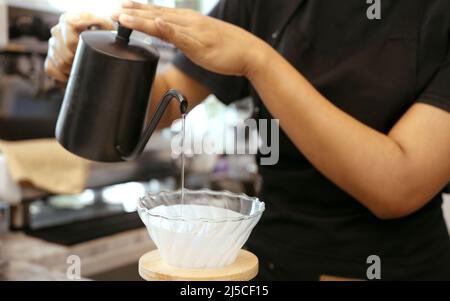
437, 93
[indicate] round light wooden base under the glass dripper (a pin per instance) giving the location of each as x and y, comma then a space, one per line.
153, 268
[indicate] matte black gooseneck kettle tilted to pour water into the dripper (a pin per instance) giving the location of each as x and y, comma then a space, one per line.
107, 96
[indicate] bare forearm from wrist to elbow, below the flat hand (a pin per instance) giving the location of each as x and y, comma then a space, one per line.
369, 165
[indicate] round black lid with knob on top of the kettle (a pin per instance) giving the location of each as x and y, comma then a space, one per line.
111, 44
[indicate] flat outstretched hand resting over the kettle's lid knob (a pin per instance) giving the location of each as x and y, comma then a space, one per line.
213, 44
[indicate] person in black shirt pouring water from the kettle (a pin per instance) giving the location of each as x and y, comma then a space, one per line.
363, 105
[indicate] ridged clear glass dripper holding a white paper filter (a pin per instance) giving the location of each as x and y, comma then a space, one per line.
207, 230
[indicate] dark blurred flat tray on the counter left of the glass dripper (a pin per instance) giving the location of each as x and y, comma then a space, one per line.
82, 231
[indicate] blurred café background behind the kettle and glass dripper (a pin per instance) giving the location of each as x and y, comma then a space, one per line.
99, 221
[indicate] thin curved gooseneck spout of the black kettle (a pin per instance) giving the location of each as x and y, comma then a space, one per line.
171, 94
